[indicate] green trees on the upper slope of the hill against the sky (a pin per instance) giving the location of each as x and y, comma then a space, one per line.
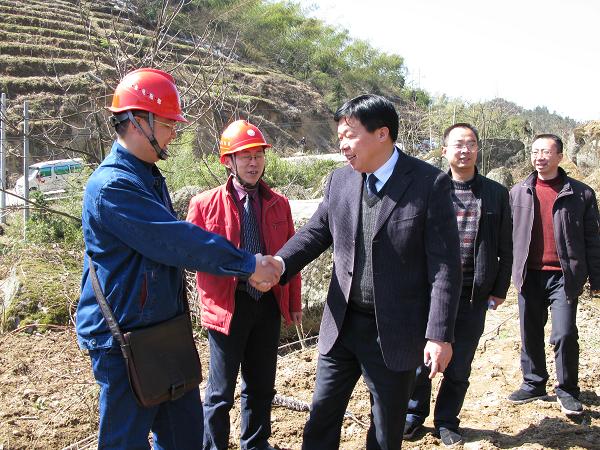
279, 34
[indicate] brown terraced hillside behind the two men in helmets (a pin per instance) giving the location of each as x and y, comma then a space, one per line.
65, 57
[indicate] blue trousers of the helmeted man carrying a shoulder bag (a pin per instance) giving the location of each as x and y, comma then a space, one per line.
125, 425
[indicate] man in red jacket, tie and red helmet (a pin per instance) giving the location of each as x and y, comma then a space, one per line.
243, 323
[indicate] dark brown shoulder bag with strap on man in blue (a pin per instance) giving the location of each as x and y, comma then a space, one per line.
162, 360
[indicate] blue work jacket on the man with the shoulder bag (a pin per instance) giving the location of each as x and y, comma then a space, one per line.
139, 249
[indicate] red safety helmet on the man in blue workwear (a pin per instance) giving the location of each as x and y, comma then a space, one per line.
149, 90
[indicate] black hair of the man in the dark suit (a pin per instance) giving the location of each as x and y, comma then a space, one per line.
372, 111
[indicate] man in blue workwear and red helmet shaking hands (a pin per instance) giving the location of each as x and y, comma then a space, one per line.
139, 249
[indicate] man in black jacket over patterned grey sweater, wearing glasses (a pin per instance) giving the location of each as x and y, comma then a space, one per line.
484, 226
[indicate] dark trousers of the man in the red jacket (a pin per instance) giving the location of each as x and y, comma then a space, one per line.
252, 344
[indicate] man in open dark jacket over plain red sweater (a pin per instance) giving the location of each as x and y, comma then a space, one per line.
557, 247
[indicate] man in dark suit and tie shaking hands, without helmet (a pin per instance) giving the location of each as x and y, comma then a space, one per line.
396, 279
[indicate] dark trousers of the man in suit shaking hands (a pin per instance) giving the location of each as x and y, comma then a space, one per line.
355, 353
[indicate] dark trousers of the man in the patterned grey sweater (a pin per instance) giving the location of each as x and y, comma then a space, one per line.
470, 323
